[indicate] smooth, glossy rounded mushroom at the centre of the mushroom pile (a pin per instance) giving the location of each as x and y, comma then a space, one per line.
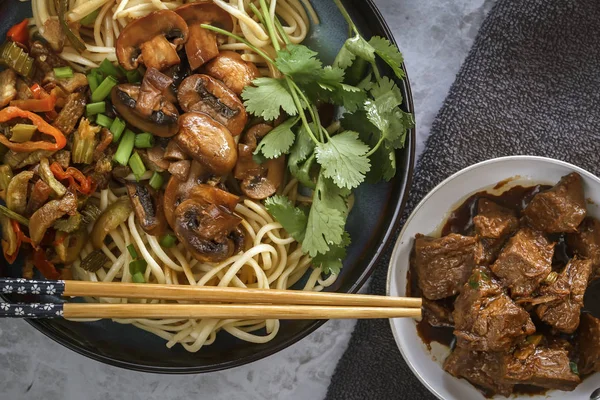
207, 141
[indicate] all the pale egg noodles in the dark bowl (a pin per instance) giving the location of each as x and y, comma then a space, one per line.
271, 258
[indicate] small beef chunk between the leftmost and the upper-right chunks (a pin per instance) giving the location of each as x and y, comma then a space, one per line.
493, 224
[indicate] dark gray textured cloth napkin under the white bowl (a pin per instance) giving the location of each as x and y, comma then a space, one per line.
530, 85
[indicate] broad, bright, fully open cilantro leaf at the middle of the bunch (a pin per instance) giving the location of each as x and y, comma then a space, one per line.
343, 159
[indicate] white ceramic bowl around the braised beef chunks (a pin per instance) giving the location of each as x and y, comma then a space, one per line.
427, 217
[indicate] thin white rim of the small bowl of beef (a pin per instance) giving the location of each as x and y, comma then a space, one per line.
422, 203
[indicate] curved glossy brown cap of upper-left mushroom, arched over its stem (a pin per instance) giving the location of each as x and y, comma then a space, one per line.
165, 23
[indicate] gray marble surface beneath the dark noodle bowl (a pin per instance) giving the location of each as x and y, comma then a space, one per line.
435, 36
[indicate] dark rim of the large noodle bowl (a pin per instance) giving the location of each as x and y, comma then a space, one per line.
403, 179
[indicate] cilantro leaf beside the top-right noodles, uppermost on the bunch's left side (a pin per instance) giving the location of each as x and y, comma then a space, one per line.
299, 62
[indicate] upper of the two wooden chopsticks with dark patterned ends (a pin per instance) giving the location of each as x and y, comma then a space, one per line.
206, 293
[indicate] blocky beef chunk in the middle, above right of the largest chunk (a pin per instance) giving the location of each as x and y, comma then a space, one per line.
525, 261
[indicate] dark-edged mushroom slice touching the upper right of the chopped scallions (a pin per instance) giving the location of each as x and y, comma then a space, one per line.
161, 120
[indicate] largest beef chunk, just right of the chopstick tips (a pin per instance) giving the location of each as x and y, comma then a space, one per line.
485, 318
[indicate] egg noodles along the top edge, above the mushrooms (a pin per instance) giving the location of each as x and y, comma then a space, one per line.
101, 37
